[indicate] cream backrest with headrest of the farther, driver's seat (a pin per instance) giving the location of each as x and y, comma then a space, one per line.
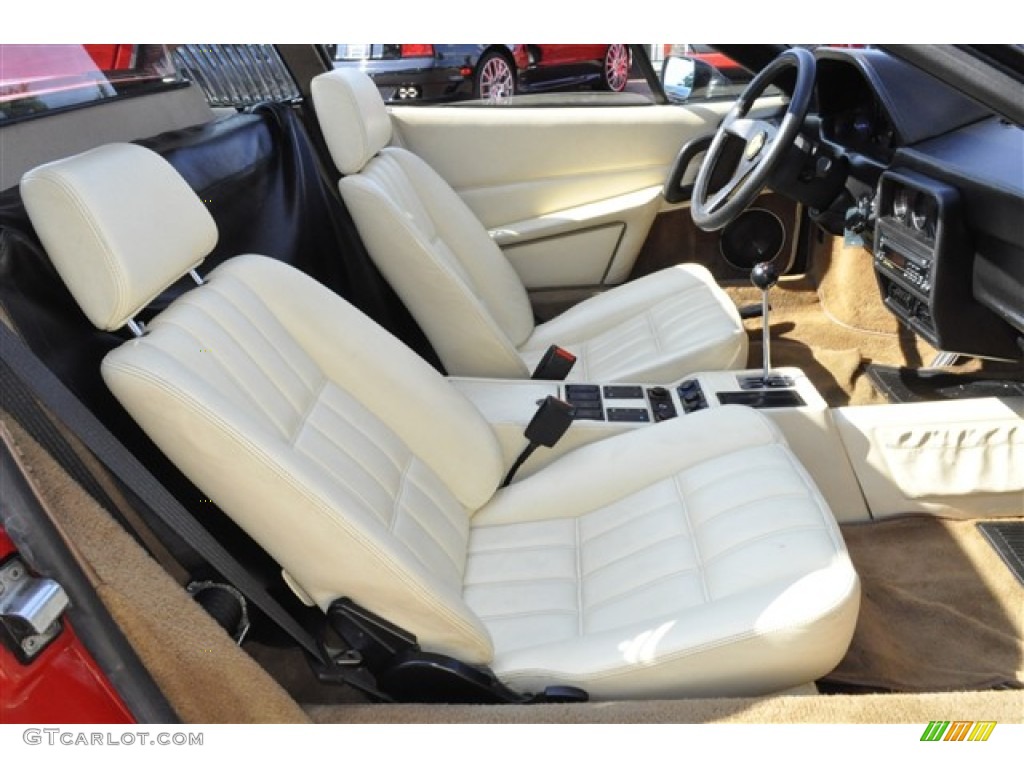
425, 240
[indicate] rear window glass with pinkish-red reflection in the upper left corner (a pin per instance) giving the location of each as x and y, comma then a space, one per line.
39, 79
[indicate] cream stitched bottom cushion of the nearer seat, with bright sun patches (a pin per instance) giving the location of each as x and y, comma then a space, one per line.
695, 558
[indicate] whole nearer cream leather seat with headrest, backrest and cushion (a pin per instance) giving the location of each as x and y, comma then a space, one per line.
637, 567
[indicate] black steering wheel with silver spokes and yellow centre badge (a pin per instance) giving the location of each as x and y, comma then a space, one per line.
751, 148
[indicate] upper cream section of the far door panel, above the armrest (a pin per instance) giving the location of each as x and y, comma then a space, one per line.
516, 164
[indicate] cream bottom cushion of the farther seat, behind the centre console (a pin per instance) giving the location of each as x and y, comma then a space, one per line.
657, 329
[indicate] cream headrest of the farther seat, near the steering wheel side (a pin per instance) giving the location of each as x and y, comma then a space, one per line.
353, 117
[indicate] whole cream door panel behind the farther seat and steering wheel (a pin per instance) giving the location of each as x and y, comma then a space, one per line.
539, 179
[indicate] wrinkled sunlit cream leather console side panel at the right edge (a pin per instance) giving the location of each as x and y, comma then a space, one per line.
961, 459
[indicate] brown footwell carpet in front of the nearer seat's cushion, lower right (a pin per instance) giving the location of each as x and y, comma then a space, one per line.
940, 611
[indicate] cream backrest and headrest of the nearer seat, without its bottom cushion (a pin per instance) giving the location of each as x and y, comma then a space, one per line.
344, 454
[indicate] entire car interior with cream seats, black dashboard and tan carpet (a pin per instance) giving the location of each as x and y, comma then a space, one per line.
581, 409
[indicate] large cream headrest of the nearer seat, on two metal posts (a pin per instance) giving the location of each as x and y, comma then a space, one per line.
120, 226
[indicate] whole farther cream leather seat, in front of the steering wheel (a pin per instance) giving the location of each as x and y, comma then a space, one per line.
465, 294
